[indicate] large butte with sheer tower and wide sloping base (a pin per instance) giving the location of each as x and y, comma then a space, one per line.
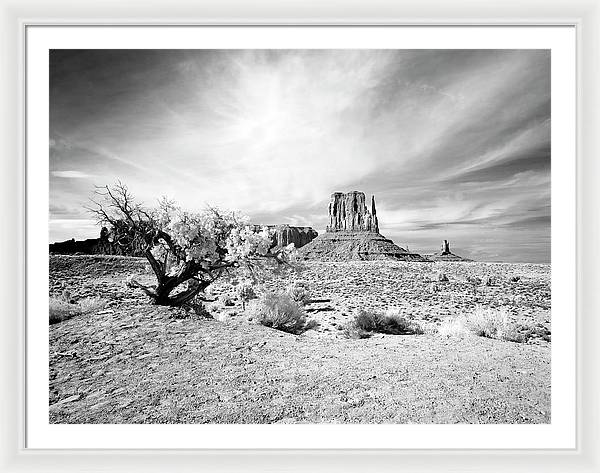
353, 234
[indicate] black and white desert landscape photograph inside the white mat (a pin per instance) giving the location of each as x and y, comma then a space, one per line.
299, 236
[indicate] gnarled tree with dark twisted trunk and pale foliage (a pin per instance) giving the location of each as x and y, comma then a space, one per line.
182, 248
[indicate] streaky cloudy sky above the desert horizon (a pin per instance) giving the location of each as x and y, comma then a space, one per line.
454, 144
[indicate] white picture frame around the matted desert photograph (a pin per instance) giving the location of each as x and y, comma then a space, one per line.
583, 15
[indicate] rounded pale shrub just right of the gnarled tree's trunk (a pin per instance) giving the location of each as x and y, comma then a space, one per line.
279, 311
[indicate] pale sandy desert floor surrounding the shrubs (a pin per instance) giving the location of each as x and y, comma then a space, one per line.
132, 362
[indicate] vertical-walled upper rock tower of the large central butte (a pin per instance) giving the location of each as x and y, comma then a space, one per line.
349, 213
